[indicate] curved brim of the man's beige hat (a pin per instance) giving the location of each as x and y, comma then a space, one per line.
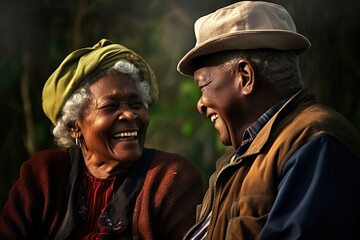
266, 39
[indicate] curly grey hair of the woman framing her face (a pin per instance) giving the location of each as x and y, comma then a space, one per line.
74, 106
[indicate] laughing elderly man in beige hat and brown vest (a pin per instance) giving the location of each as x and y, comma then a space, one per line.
293, 170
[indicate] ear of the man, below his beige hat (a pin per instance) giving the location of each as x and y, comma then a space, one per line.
246, 69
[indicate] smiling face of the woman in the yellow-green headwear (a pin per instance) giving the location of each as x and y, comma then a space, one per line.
114, 124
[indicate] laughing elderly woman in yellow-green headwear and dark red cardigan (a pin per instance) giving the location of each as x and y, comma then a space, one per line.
103, 183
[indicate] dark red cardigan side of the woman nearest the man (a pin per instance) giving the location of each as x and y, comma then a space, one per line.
172, 190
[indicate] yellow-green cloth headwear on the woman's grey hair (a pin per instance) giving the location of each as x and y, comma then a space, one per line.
81, 63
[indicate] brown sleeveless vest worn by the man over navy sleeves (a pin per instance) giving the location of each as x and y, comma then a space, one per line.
242, 192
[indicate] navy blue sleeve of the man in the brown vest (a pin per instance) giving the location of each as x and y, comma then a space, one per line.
318, 196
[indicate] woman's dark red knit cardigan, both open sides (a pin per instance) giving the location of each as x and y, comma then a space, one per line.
164, 209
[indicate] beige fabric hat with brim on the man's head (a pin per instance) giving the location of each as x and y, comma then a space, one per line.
241, 26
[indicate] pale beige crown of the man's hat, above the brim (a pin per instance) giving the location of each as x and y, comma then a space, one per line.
243, 17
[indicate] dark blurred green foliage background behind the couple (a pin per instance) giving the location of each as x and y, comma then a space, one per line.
37, 35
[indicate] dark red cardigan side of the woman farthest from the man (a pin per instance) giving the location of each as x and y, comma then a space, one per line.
33, 204
